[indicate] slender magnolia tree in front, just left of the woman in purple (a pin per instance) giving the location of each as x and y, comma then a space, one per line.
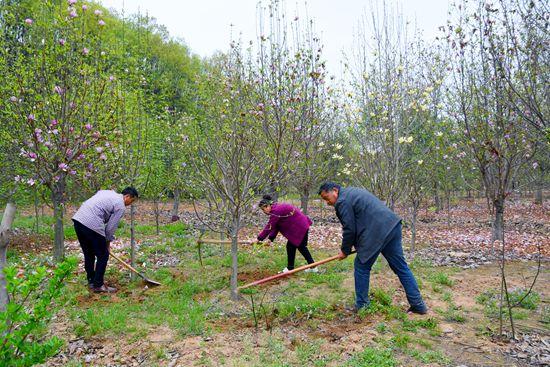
231, 161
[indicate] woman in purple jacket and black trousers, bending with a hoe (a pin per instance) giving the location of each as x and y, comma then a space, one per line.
292, 223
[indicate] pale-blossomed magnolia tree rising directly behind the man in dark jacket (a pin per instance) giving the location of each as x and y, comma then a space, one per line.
385, 102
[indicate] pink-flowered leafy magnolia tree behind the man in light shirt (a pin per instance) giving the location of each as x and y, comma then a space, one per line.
63, 100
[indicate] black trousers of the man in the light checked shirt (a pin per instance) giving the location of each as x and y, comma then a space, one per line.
94, 246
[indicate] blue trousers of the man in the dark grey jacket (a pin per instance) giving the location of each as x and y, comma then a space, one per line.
393, 252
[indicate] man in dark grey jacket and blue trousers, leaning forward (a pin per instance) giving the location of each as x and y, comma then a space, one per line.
372, 228
